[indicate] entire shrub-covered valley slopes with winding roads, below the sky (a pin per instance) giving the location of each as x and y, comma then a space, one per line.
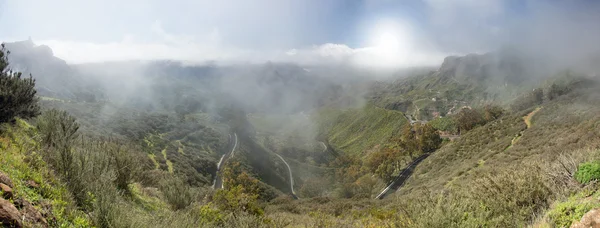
146, 144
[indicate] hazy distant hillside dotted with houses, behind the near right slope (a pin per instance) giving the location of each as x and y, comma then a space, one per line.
471, 80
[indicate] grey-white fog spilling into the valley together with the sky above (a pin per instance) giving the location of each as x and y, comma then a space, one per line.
286, 57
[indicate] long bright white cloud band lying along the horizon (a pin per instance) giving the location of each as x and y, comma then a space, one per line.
188, 48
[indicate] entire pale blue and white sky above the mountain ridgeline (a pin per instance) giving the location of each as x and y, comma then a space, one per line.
370, 33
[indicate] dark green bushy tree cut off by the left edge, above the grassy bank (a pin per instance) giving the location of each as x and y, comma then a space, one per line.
17, 94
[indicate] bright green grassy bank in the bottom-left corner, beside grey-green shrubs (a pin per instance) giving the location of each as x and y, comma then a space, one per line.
21, 163
